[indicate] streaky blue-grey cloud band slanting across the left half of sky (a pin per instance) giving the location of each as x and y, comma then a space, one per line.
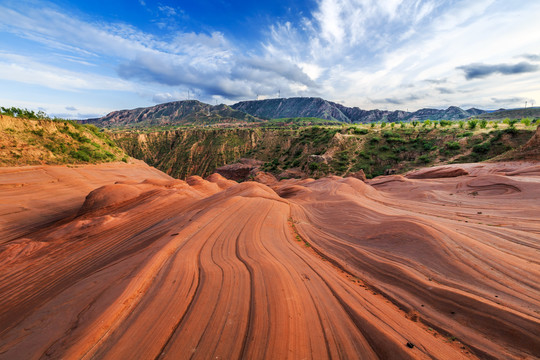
208, 62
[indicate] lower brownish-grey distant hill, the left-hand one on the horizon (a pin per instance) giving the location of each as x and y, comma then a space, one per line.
174, 113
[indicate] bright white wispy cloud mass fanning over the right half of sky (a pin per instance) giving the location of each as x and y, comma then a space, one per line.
372, 50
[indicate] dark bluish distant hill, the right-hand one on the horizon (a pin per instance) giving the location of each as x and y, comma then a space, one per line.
320, 108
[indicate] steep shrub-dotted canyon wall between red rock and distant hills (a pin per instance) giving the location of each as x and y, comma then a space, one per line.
323, 149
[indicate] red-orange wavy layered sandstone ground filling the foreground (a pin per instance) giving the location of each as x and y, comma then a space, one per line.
120, 261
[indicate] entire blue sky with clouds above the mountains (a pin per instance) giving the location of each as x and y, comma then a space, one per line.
82, 59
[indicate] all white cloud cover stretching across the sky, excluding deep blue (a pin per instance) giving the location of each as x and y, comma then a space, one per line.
359, 51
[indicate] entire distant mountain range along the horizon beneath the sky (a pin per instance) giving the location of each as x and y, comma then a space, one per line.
195, 112
